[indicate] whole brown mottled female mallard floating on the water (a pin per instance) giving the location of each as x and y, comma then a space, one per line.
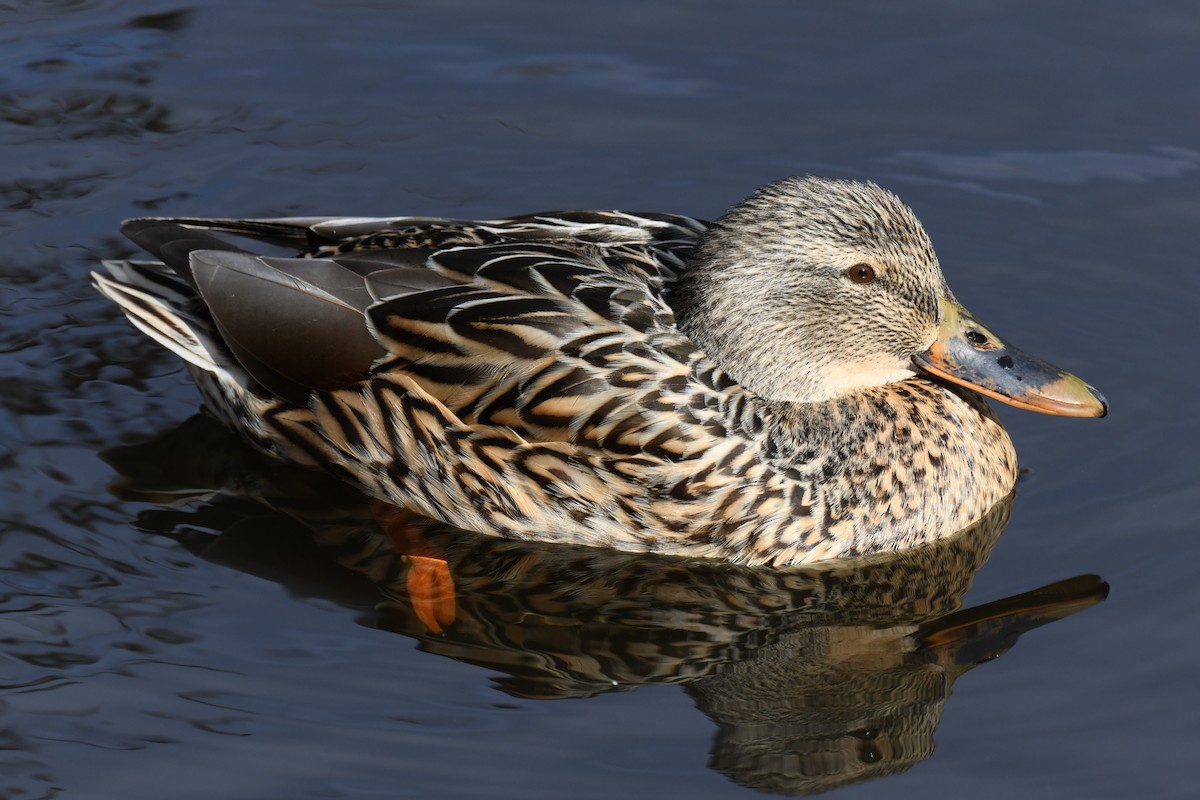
791, 383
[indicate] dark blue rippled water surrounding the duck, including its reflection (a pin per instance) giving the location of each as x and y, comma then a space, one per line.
159, 639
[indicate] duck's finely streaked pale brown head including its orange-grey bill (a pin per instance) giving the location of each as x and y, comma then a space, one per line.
812, 290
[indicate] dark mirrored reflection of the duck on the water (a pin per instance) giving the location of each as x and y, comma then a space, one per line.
817, 677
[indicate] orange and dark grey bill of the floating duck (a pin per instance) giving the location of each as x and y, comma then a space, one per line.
969, 354
